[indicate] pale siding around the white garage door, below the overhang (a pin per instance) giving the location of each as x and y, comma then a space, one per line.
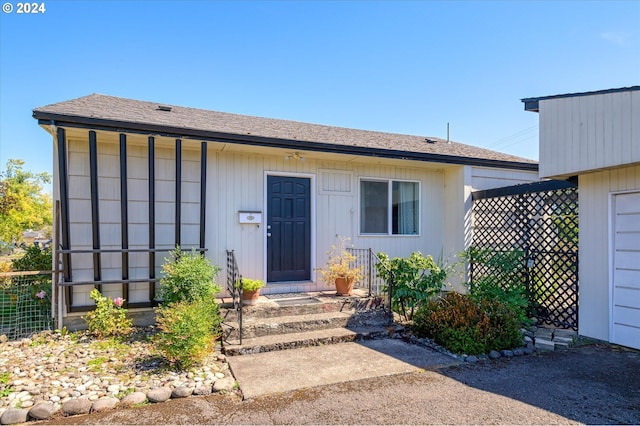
595, 255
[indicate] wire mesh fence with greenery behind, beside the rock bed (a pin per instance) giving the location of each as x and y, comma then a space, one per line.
25, 303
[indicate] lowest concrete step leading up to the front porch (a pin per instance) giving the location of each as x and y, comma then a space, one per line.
271, 343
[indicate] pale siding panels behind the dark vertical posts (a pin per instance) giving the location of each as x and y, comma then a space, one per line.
80, 216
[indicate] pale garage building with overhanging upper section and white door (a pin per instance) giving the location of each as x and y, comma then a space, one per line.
596, 137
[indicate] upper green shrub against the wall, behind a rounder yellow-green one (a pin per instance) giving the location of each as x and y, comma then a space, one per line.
188, 276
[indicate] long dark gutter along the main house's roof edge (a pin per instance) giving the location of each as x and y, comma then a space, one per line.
61, 120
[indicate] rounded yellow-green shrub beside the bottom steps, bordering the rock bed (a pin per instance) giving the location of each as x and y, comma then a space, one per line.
188, 331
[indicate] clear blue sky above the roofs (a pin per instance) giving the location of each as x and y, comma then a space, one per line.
402, 67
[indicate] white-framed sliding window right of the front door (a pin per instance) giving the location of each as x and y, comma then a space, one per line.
389, 207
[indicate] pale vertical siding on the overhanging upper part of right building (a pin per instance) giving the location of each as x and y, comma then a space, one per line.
587, 133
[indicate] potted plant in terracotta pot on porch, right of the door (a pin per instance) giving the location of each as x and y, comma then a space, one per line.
339, 270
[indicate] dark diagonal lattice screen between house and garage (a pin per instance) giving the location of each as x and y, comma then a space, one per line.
536, 227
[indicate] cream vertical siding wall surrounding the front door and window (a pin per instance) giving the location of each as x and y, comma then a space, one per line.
239, 181
